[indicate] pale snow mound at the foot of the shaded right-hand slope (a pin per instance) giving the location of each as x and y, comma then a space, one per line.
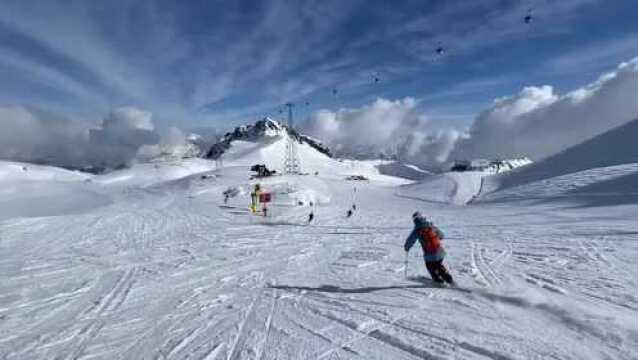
457, 188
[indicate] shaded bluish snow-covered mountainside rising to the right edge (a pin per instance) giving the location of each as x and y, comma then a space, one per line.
602, 166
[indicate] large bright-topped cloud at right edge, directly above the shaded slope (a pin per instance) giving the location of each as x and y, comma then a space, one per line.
537, 122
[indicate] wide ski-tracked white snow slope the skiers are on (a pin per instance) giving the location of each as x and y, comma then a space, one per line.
150, 263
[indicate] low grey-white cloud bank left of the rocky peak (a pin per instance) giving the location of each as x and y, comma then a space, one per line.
122, 137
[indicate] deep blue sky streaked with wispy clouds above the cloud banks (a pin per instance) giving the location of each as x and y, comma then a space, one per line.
218, 63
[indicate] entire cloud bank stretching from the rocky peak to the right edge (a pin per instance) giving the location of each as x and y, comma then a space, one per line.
537, 122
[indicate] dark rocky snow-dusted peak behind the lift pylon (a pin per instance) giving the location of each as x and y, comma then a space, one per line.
264, 130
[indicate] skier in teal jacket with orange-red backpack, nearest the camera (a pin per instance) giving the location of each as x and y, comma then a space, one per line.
429, 237
